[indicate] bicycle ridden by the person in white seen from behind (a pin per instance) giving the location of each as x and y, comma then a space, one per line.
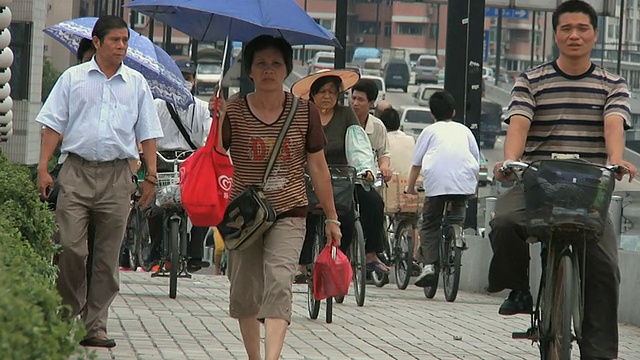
451, 246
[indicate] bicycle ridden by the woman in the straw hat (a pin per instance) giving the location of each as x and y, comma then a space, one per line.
356, 252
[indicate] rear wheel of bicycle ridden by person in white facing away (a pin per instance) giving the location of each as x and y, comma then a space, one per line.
451, 263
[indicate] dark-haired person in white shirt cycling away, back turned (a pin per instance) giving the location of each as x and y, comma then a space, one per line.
448, 156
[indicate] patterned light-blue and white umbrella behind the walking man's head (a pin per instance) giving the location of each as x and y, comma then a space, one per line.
160, 70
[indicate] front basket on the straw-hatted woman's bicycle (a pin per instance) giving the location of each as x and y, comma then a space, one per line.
343, 180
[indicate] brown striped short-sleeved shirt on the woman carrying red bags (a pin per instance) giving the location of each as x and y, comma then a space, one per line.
251, 144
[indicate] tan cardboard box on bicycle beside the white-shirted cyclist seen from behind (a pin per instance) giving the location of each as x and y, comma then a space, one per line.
395, 200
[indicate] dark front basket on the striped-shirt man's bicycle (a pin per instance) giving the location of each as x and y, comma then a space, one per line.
565, 193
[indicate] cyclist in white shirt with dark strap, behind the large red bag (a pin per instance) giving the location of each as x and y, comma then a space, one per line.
196, 121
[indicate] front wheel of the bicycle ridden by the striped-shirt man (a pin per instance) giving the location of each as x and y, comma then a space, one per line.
556, 341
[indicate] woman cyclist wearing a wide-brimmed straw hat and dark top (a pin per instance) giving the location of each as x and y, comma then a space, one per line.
347, 144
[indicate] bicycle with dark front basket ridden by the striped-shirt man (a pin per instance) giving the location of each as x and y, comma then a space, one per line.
566, 204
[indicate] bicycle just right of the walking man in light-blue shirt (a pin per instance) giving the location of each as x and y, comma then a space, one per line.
175, 222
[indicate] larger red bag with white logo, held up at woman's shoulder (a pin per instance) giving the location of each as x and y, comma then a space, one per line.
205, 179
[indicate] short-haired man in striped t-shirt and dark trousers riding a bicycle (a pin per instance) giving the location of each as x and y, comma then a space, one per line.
567, 108
